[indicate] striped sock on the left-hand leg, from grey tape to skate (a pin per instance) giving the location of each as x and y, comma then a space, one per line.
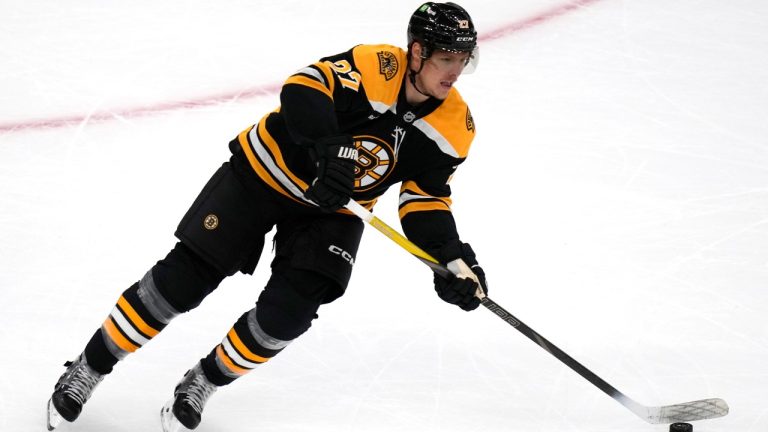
139, 315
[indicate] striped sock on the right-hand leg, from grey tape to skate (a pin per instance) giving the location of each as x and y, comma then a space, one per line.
245, 347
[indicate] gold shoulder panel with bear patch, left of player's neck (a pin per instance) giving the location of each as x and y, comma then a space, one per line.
382, 68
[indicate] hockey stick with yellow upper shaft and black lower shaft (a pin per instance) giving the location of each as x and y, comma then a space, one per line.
683, 412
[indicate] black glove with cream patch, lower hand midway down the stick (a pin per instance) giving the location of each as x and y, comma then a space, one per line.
460, 289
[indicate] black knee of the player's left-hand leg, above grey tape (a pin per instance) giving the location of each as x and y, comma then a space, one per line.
184, 279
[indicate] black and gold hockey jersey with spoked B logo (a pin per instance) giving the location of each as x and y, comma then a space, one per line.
362, 93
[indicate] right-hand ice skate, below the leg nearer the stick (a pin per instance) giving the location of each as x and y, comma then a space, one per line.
184, 411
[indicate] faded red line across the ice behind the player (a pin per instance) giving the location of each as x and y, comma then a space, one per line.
267, 89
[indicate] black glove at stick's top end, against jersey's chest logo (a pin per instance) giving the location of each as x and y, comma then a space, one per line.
334, 158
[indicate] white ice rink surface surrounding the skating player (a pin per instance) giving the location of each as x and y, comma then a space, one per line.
617, 196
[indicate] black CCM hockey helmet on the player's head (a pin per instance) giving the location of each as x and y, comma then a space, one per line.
442, 26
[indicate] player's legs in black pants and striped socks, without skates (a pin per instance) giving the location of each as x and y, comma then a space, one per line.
223, 233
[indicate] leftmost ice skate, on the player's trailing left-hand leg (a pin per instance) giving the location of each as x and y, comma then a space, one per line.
72, 391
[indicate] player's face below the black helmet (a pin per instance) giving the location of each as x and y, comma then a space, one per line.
440, 72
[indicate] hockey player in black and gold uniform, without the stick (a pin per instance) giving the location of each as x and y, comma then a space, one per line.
349, 126
